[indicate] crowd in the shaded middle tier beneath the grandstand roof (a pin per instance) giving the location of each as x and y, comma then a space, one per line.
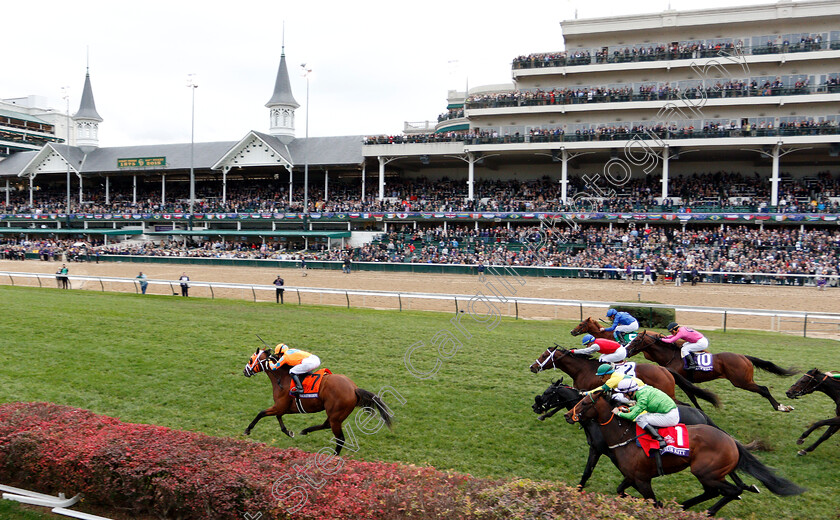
697, 192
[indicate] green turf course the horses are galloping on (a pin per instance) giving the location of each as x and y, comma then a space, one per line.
178, 362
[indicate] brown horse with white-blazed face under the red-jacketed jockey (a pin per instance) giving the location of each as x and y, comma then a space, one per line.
582, 369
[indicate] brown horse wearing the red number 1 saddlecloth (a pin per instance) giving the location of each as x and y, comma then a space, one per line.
713, 456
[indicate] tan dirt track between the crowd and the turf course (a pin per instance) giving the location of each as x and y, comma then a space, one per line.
707, 295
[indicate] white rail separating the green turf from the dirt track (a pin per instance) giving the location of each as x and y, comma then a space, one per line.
513, 306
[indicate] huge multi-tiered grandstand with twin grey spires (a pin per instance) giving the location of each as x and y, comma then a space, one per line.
675, 122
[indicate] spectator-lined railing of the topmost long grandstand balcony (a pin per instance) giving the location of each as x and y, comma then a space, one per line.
663, 53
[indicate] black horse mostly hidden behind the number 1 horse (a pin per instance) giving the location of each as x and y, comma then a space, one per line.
558, 396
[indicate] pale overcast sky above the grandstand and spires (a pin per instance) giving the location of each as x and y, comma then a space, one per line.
375, 64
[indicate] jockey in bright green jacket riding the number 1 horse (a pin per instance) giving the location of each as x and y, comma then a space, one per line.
653, 408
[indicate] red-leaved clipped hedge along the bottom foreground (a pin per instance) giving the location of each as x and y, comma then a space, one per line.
174, 474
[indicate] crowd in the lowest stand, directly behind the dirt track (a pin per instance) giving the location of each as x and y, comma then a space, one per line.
600, 251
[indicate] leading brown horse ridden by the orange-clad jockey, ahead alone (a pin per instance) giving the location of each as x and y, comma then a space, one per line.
338, 396
